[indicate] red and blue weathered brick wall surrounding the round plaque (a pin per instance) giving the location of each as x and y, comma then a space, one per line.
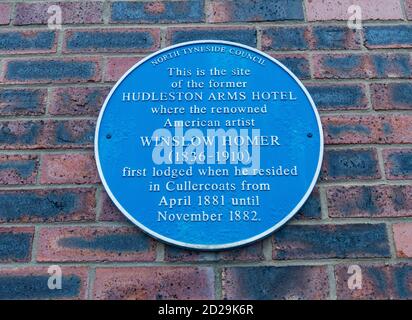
53, 208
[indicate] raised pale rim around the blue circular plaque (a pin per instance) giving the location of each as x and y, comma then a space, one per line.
202, 246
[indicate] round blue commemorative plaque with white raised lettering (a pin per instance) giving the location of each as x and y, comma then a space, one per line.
209, 144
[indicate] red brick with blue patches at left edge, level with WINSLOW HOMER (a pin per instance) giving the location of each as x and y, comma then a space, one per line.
41, 134
